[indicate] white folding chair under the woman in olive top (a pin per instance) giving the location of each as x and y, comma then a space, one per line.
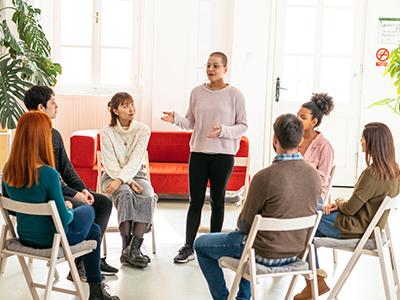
380, 246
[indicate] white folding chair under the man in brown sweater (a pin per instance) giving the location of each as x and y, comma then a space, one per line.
247, 267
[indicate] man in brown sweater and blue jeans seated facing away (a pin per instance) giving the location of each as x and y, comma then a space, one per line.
289, 188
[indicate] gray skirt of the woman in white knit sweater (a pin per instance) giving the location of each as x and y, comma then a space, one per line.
138, 208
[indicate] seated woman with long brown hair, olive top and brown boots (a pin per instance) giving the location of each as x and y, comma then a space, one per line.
381, 178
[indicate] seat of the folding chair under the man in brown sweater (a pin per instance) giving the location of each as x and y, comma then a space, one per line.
233, 263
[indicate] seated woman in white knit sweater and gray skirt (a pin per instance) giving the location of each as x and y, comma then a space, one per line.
123, 146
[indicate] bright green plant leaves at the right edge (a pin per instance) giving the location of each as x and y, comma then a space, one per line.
393, 69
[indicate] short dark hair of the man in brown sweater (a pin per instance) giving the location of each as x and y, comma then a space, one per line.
289, 131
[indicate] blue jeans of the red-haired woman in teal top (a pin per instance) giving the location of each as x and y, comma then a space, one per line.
82, 228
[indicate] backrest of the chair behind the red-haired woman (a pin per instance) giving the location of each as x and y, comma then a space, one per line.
36, 209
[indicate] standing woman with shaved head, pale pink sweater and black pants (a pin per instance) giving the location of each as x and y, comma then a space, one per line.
217, 116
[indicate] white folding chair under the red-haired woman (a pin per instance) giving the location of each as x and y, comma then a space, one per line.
60, 252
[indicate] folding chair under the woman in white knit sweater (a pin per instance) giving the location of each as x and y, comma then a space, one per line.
99, 190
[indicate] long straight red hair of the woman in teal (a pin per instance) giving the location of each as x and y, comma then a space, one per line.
32, 146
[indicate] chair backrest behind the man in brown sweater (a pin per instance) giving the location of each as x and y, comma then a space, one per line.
273, 224
